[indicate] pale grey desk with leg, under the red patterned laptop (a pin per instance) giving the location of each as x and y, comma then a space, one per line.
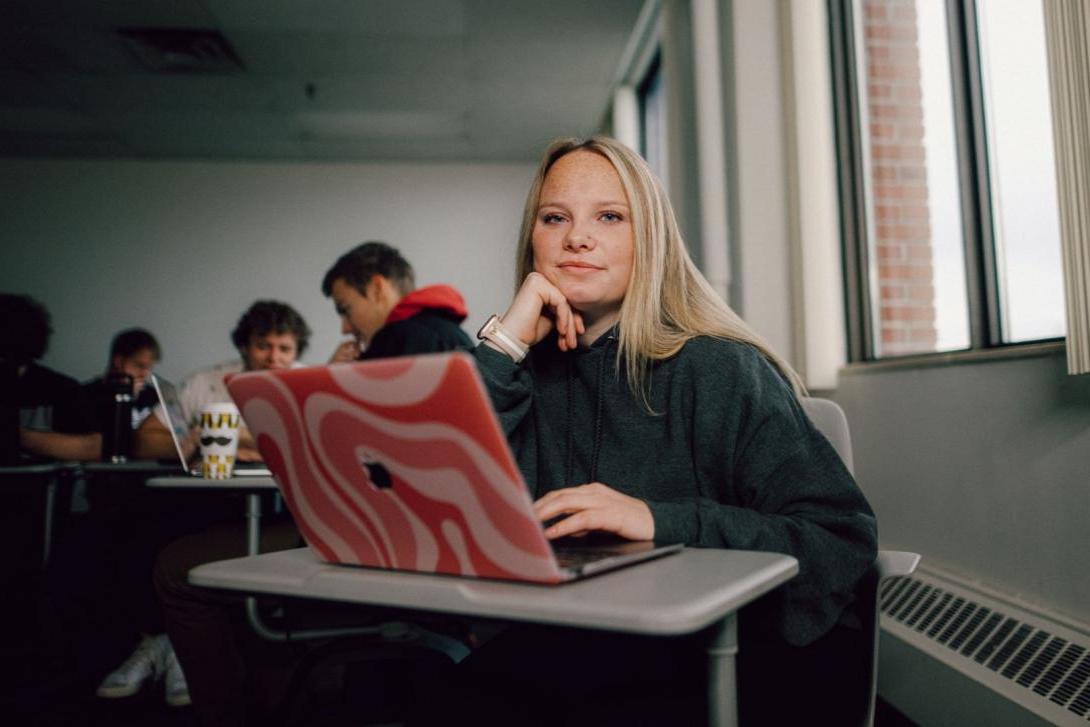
674, 596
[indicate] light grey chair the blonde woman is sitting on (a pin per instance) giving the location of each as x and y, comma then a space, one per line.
830, 420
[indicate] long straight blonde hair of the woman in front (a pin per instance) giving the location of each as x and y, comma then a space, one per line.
669, 300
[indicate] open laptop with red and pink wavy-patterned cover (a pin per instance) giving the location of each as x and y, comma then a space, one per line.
401, 464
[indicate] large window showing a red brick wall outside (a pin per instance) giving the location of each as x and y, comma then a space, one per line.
948, 178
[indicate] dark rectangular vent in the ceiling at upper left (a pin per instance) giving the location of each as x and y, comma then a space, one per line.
181, 51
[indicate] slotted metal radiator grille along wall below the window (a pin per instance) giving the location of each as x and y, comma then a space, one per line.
1041, 665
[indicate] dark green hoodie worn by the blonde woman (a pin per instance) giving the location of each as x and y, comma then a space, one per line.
728, 461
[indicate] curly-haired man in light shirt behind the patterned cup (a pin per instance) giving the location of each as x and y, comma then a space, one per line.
270, 335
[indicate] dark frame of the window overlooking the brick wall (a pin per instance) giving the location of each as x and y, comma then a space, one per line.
982, 264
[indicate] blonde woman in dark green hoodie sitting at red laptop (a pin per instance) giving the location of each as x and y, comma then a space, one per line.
638, 404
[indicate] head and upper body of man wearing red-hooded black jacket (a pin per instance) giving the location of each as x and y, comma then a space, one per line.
373, 288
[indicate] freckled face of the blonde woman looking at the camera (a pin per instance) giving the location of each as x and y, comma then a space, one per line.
583, 238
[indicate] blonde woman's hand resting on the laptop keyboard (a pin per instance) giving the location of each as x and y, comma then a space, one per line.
596, 507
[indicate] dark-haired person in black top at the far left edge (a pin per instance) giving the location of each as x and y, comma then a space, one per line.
44, 414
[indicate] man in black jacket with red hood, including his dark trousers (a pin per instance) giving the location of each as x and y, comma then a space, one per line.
372, 287
